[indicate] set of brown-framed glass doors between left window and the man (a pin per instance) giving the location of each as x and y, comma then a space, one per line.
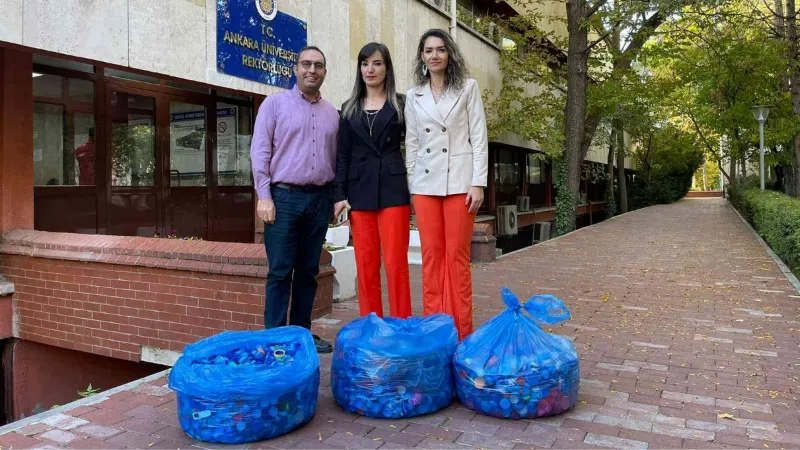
178, 165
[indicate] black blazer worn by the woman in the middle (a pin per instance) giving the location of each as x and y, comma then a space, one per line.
371, 171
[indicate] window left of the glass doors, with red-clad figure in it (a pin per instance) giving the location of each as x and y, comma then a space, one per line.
63, 131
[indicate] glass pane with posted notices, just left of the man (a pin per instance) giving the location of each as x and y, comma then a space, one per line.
234, 134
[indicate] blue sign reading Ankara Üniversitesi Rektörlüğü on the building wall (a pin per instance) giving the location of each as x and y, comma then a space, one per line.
257, 42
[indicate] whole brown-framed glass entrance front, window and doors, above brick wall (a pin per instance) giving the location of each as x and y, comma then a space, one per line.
157, 158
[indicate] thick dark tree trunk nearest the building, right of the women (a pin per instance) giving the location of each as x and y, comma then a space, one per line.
575, 115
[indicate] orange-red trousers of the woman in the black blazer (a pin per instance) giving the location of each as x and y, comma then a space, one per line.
383, 231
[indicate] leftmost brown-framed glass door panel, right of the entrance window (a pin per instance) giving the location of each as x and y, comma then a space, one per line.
134, 200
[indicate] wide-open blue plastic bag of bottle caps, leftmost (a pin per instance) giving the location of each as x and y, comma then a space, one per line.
245, 386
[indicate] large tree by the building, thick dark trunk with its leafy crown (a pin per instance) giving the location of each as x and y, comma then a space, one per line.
568, 70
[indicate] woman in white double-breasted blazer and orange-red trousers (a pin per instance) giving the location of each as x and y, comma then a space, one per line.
447, 162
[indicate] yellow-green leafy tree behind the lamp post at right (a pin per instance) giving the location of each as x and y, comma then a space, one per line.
713, 63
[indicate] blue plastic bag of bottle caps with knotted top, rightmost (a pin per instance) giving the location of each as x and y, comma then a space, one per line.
511, 368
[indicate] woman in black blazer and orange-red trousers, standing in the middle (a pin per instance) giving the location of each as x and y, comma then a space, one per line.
371, 179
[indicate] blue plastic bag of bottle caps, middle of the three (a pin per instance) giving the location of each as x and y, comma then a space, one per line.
394, 368
